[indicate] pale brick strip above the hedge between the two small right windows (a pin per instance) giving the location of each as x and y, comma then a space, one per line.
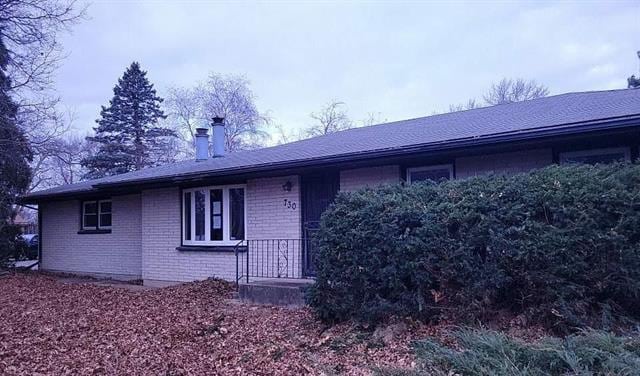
509, 163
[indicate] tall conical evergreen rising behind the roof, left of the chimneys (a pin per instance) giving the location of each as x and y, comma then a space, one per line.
128, 132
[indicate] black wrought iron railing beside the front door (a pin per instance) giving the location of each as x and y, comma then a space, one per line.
270, 258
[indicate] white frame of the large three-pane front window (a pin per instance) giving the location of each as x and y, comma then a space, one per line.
226, 216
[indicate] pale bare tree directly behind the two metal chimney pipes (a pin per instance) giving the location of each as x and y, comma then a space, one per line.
228, 96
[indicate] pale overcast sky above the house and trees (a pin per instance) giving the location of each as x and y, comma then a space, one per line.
399, 59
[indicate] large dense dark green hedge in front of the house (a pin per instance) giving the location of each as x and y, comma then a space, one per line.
558, 246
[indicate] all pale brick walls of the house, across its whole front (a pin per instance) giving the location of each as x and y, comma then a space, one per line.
147, 227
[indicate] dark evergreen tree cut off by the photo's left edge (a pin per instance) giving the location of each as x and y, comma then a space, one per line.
15, 155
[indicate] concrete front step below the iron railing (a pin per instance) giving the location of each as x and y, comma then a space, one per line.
279, 292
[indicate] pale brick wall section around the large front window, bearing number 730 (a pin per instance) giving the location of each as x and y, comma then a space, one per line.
267, 218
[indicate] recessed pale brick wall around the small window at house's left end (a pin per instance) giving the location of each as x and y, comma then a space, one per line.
116, 255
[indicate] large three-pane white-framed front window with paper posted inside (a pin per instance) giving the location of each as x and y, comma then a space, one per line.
214, 215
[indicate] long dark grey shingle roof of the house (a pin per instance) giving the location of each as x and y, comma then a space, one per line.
522, 117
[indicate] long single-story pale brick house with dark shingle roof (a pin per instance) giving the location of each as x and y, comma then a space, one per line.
253, 213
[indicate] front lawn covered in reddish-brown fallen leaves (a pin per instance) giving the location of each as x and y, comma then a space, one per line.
51, 327
